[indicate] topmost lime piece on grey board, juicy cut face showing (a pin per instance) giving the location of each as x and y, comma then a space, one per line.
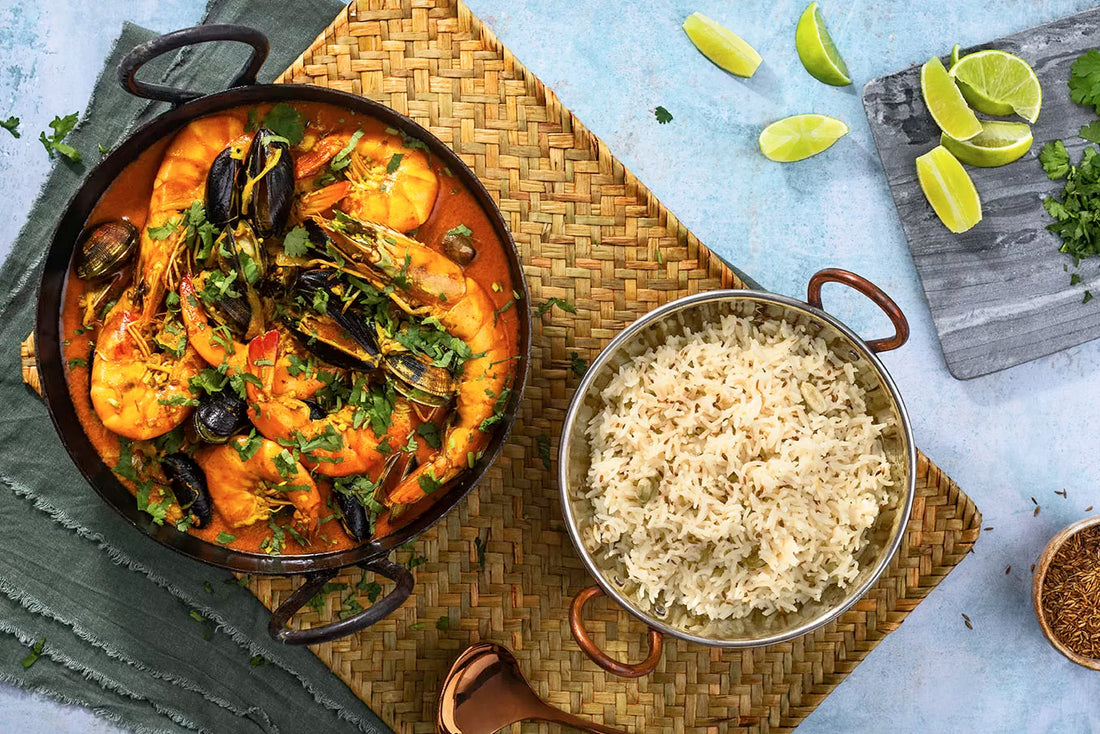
998, 83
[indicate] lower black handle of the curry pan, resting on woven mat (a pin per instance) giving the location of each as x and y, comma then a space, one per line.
375, 614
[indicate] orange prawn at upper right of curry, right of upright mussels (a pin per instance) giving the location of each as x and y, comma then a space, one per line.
386, 181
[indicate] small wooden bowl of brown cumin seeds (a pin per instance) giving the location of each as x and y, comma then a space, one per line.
1066, 589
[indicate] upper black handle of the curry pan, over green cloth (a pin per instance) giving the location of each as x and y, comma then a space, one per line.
189, 37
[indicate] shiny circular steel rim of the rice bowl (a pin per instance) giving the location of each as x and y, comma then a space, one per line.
611, 350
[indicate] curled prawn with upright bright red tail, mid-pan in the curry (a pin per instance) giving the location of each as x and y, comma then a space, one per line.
345, 443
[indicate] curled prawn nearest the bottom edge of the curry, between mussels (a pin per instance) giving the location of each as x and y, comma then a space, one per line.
251, 490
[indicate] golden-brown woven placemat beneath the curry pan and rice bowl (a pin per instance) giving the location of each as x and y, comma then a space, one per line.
501, 567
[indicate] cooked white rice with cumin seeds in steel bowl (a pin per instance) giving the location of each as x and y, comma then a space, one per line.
736, 469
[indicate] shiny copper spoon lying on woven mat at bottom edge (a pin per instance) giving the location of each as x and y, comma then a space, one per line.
486, 692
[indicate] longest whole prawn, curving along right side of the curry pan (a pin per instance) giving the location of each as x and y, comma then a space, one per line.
435, 287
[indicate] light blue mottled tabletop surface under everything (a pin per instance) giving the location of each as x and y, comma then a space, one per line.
1021, 434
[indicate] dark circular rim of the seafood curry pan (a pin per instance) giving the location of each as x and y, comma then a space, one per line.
54, 384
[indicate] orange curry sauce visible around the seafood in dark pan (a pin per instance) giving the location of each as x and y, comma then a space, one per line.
128, 199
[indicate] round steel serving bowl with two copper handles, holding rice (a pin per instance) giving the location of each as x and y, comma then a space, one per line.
884, 400
